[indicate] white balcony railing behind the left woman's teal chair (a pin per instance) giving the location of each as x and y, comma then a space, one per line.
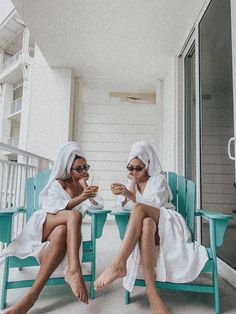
13, 177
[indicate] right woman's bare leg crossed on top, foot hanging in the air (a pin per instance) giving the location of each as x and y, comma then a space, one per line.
132, 235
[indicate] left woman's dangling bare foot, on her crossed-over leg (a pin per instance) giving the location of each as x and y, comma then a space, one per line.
76, 282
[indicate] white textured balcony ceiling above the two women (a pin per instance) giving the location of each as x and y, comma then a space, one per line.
123, 45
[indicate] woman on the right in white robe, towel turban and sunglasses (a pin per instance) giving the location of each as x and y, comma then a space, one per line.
156, 235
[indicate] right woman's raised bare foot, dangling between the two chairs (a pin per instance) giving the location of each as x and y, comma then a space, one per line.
109, 275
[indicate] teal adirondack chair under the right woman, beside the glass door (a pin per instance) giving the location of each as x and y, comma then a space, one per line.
184, 198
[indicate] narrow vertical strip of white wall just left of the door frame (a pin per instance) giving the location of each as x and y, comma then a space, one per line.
169, 119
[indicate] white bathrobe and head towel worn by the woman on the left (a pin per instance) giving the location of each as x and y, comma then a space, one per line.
52, 199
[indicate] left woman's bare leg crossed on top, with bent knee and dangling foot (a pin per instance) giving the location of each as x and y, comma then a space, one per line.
73, 220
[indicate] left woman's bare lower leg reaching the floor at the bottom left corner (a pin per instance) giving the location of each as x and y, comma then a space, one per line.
50, 259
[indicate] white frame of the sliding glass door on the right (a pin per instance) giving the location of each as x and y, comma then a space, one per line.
224, 269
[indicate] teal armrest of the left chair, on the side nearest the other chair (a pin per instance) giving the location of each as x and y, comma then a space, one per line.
98, 217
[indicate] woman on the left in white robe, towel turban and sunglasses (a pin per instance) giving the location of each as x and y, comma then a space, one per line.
54, 231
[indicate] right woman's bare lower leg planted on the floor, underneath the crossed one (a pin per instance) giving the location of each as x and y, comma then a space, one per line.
147, 251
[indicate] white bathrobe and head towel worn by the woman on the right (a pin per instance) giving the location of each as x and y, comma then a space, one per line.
178, 259
